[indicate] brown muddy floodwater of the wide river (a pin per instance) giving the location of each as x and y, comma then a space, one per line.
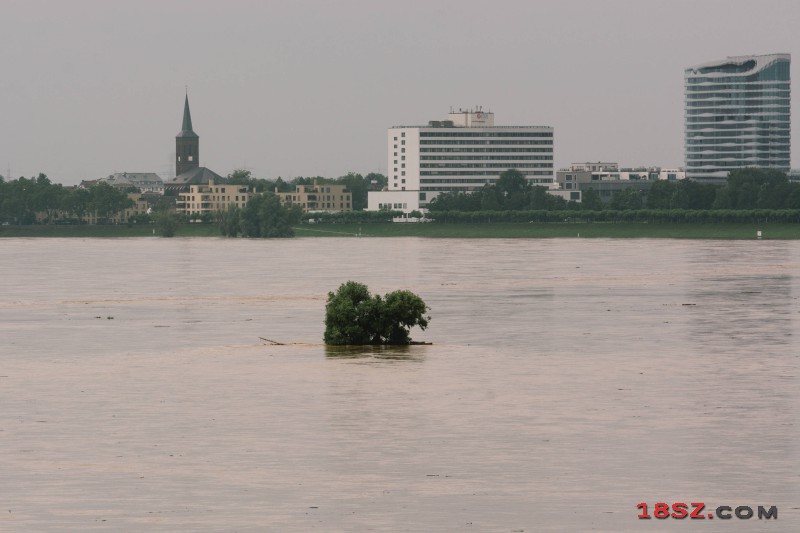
569, 380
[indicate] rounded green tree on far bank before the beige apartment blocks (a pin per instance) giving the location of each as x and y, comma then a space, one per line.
265, 216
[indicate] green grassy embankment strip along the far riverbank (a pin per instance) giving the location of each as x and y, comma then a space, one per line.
441, 230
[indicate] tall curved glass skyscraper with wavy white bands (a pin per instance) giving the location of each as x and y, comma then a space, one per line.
737, 115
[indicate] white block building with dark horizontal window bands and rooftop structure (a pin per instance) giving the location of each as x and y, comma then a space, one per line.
465, 152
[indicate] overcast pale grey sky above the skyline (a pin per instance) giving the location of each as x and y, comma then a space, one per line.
304, 88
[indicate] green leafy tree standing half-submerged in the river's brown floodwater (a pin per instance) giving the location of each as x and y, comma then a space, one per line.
356, 317
